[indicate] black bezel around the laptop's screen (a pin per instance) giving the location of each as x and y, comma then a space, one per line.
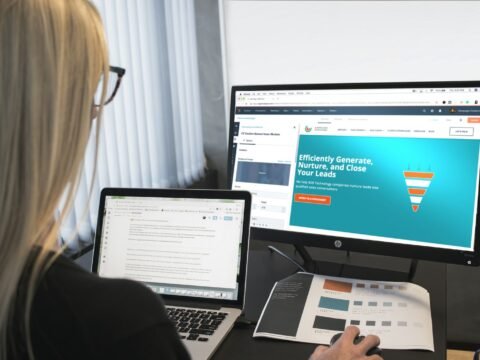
194, 194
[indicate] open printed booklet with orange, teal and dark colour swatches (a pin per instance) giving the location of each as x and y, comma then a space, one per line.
312, 308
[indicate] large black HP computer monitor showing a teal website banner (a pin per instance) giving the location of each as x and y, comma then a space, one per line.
383, 168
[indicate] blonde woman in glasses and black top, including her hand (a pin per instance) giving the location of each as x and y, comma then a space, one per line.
52, 56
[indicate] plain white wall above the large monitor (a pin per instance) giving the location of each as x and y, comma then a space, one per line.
279, 42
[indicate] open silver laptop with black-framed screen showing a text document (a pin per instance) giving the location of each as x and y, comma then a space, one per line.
189, 246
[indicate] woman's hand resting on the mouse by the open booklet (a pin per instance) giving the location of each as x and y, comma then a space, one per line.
345, 349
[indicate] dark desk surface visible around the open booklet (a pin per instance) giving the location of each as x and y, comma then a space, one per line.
265, 268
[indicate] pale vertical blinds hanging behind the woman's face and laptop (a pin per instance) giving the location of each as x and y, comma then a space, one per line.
151, 134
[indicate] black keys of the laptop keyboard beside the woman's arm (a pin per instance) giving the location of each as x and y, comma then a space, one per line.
195, 325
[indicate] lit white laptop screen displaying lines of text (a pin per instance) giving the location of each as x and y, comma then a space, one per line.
176, 246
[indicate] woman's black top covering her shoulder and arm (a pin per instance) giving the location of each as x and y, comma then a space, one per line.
78, 315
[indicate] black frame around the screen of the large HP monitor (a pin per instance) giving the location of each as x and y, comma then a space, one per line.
470, 258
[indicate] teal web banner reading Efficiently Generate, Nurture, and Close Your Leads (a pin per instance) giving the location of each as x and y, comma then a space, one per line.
405, 188
